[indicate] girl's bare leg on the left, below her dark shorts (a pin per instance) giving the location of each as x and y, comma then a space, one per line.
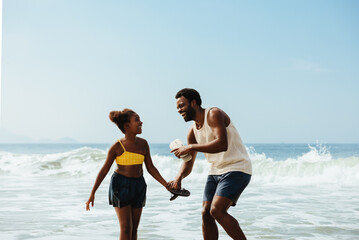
125, 218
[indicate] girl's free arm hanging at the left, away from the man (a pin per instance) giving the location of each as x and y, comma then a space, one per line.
101, 175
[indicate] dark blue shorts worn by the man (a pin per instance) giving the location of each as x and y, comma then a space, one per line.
229, 185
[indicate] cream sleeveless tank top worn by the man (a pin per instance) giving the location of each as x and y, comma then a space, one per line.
234, 159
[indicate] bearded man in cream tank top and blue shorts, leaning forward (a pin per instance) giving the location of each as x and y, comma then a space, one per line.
214, 134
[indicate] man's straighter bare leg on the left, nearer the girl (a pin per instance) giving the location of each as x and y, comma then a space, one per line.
209, 226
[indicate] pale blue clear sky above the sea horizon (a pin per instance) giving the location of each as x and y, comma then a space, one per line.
285, 71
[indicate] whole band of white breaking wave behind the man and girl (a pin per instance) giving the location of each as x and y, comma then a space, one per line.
316, 166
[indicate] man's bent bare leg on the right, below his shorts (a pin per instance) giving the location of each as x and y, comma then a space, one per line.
218, 210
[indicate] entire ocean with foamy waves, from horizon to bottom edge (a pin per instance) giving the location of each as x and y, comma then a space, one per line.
297, 191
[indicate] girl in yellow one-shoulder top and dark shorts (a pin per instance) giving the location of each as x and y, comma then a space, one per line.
127, 191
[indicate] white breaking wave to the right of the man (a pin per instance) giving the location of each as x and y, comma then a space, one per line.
314, 167
